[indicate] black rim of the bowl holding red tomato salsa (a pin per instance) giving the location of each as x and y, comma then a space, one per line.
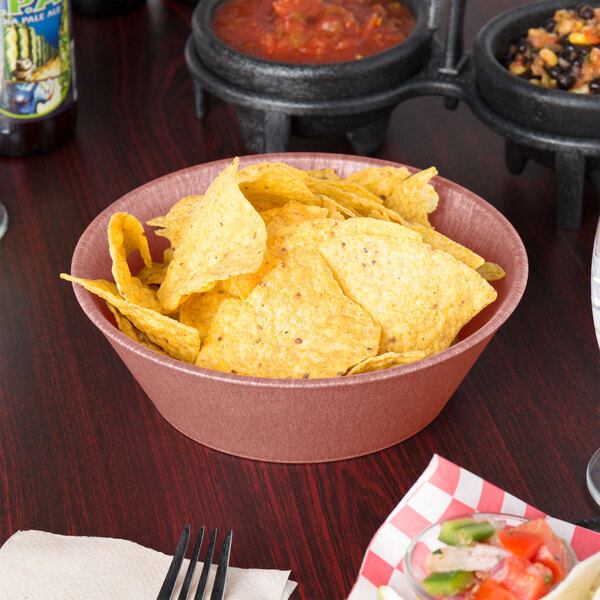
202, 29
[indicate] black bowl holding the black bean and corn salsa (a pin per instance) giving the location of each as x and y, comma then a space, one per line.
542, 109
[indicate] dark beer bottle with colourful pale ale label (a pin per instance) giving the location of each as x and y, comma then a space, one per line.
38, 97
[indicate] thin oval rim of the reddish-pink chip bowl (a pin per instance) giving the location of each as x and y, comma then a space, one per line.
88, 301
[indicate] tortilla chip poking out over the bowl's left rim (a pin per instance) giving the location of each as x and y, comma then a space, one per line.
176, 339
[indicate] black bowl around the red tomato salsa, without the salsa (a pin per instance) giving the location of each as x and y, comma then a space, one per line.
301, 82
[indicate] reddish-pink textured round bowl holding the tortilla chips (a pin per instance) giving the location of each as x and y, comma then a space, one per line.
296, 421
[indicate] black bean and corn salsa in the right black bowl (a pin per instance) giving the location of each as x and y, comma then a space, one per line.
563, 54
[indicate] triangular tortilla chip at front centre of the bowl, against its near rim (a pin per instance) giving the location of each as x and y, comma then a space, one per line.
295, 323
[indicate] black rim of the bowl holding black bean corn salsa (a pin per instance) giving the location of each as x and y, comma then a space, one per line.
483, 51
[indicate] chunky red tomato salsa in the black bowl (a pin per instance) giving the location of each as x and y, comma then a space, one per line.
312, 31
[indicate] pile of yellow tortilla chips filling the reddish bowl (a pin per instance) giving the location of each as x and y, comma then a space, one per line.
279, 272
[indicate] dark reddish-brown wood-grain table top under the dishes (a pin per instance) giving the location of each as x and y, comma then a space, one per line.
82, 449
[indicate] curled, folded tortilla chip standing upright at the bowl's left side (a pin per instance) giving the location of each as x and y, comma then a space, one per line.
125, 236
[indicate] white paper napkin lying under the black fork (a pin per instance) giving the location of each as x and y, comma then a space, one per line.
40, 565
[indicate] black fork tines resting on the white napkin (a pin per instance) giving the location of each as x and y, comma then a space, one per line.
218, 591
